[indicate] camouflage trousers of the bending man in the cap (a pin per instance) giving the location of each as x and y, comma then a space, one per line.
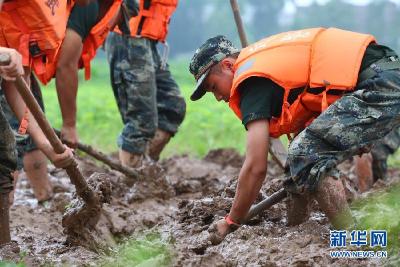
350, 126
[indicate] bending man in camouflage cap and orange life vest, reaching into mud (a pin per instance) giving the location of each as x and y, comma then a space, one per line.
333, 92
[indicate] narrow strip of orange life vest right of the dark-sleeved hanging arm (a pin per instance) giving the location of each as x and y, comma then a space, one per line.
98, 34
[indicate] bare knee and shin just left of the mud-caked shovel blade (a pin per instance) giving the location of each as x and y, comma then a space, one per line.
35, 166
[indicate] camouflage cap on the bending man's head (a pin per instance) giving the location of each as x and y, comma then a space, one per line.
211, 52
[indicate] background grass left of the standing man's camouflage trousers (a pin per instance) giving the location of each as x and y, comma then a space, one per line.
98, 117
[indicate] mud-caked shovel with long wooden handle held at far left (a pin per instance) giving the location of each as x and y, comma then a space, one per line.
87, 214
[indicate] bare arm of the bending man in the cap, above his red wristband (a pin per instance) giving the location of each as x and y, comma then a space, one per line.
254, 169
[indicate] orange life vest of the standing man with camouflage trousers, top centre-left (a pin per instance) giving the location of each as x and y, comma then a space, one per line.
153, 19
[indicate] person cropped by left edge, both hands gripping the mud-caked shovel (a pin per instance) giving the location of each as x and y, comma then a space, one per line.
8, 157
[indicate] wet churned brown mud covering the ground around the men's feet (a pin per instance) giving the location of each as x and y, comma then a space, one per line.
181, 199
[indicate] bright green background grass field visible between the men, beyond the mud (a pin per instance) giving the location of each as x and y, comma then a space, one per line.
208, 124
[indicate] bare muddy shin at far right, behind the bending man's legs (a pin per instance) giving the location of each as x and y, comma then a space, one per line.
363, 168
